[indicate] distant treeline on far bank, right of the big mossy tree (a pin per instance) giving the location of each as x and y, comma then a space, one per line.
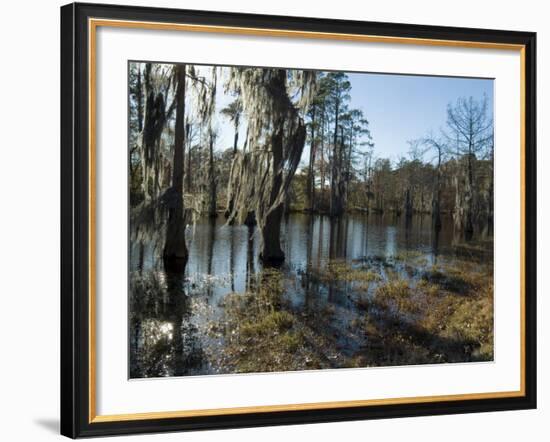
386, 188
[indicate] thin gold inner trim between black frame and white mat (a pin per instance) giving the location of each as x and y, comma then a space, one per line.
93, 24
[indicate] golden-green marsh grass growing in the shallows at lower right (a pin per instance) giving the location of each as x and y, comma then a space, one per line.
417, 315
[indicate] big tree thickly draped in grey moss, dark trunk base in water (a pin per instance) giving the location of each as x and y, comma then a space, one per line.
274, 102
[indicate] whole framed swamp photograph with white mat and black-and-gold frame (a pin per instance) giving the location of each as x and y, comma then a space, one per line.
279, 220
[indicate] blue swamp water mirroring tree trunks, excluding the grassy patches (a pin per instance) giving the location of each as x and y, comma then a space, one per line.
173, 316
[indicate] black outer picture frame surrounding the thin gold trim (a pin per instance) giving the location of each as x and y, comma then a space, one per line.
75, 221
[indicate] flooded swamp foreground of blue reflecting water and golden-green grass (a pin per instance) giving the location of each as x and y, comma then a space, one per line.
361, 290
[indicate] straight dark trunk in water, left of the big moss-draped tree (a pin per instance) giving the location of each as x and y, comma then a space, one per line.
175, 250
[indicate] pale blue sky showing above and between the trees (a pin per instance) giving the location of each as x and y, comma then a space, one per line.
399, 108
